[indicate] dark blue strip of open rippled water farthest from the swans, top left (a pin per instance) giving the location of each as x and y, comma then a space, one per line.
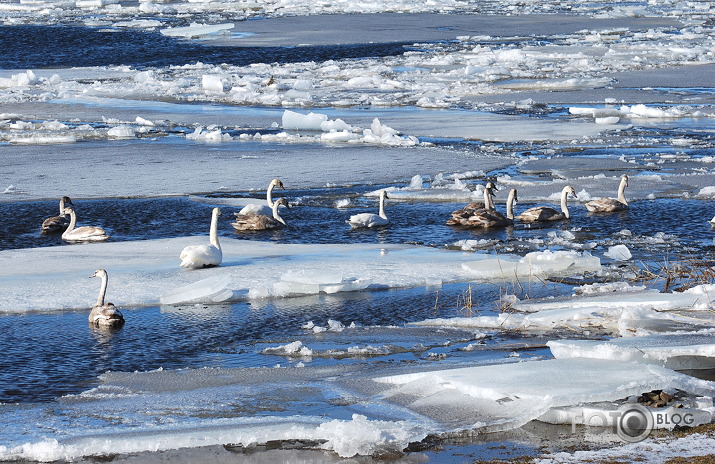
32, 47
